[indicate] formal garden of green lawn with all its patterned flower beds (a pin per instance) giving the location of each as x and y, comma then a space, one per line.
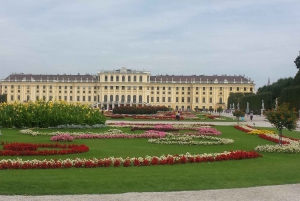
144, 157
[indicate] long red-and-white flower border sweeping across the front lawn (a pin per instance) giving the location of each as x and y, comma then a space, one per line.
126, 162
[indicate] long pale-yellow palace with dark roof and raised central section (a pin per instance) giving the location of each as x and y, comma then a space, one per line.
114, 88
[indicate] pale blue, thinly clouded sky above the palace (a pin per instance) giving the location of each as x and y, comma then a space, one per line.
257, 39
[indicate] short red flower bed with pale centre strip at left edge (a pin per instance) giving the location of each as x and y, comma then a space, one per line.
29, 149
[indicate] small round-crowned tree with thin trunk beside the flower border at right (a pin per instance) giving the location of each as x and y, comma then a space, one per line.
282, 118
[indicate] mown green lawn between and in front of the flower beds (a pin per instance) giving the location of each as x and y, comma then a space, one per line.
271, 169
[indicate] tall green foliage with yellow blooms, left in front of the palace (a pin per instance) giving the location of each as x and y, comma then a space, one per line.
44, 114
